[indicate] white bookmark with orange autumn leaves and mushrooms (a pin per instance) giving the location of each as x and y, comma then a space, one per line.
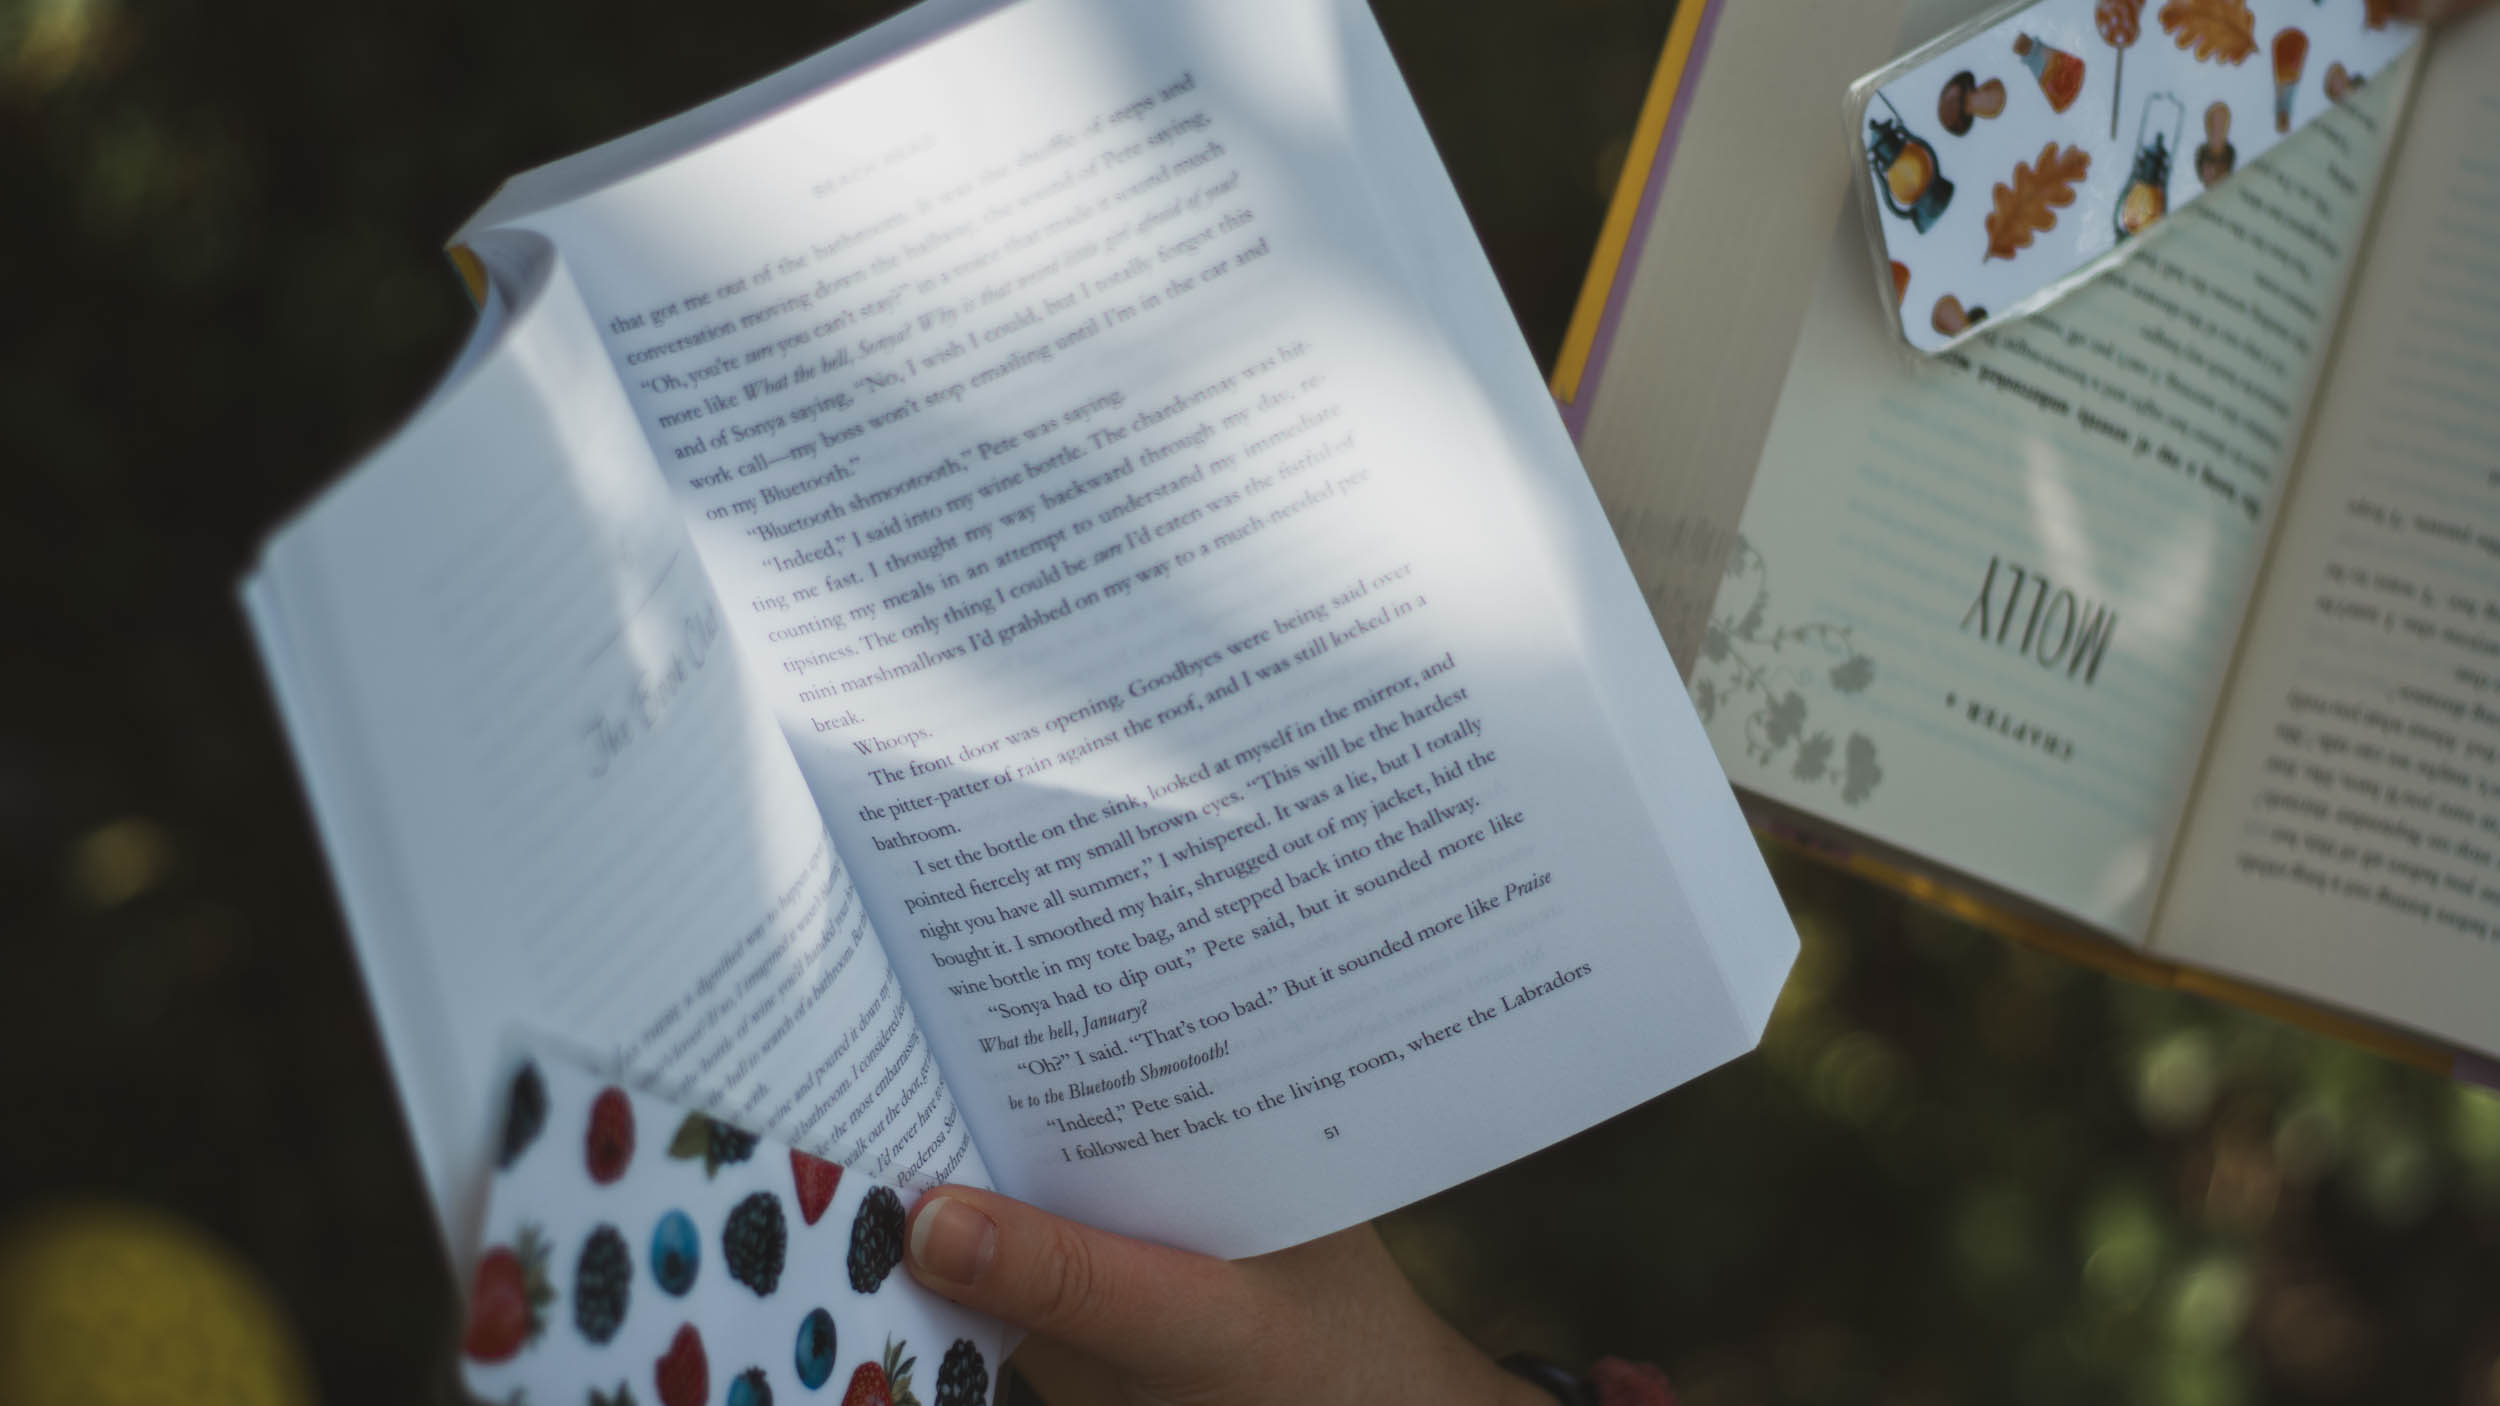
2016, 159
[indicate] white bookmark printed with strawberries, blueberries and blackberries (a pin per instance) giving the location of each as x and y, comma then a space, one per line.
654, 1257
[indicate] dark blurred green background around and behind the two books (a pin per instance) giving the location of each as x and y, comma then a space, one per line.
1956, 1172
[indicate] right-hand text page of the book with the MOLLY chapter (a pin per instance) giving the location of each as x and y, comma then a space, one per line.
2346, 839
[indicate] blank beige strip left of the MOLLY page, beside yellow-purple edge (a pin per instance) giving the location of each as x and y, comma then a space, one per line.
1681, 399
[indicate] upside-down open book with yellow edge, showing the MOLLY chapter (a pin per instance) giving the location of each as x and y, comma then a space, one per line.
2164, 622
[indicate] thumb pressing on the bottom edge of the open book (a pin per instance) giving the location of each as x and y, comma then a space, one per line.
1131, 1305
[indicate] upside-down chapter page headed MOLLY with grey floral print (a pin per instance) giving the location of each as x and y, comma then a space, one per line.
1981, 607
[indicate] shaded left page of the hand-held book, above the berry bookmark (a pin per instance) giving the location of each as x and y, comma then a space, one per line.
554, 802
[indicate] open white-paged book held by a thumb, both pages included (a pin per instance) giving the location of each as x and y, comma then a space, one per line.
1011, 607
